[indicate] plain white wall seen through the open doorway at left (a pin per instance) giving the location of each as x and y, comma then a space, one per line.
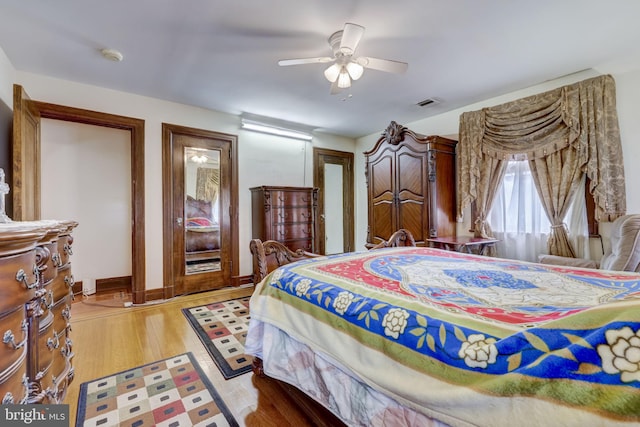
86, 176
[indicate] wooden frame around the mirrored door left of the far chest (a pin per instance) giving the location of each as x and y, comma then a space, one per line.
168, 186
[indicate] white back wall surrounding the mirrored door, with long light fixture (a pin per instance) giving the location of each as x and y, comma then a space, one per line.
262, 159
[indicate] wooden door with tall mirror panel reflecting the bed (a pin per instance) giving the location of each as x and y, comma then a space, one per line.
198, 189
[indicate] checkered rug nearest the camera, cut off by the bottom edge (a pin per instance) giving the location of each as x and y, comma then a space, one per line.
171, 392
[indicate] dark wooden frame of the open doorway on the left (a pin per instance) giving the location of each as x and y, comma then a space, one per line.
135, 127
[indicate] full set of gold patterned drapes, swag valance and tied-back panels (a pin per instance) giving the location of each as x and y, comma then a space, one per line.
563, 134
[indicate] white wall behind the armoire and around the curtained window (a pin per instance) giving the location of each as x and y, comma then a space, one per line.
627, 78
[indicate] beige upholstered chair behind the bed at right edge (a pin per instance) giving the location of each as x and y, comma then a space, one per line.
623, 254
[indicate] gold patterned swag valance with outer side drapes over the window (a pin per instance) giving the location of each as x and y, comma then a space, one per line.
581, 116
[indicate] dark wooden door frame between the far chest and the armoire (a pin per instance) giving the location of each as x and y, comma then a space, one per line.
322, 156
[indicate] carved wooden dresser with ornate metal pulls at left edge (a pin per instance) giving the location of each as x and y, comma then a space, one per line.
35, 311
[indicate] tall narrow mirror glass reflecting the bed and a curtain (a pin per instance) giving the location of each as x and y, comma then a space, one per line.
202, 209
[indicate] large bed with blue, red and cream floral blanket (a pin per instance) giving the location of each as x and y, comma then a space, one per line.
423, 336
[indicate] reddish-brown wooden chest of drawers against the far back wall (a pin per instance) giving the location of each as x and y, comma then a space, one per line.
285, 214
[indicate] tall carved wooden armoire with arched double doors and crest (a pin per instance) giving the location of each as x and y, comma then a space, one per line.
411, 184
